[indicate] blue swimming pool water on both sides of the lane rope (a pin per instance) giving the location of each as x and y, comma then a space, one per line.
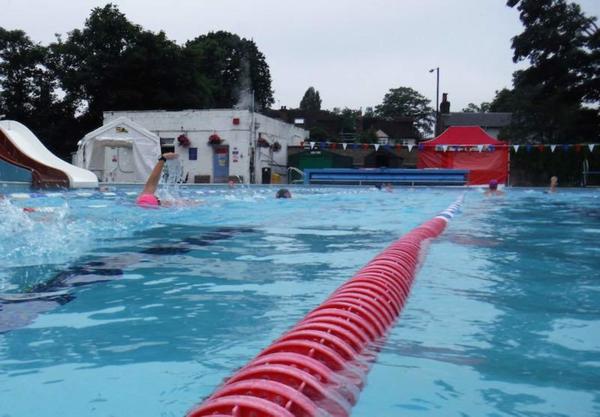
153, 308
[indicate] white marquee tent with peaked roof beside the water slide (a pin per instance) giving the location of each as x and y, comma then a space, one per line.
119, 151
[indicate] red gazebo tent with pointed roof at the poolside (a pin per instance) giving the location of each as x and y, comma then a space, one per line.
467, 147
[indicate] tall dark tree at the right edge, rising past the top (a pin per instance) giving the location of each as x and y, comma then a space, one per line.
549, 98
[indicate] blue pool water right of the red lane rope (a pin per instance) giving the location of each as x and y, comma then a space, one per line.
503, 318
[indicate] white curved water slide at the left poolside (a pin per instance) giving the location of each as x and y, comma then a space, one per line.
27, 151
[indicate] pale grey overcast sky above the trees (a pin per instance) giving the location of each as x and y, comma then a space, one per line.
351, 51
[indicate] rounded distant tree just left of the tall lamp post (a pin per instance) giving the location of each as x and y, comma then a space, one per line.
406, 102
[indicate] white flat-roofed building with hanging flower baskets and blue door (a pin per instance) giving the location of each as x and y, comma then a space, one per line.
252, 148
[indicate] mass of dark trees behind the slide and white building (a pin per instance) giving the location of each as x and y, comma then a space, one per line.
60, 90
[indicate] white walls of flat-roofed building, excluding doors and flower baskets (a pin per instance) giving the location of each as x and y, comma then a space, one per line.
235, 129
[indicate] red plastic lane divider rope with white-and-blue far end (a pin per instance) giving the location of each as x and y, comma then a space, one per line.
318, 367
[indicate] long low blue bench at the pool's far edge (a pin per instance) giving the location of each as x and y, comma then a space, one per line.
349, 176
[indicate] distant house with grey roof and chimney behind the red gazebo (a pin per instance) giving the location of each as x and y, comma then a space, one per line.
491, 122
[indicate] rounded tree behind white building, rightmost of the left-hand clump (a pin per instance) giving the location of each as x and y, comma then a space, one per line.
235, 68
